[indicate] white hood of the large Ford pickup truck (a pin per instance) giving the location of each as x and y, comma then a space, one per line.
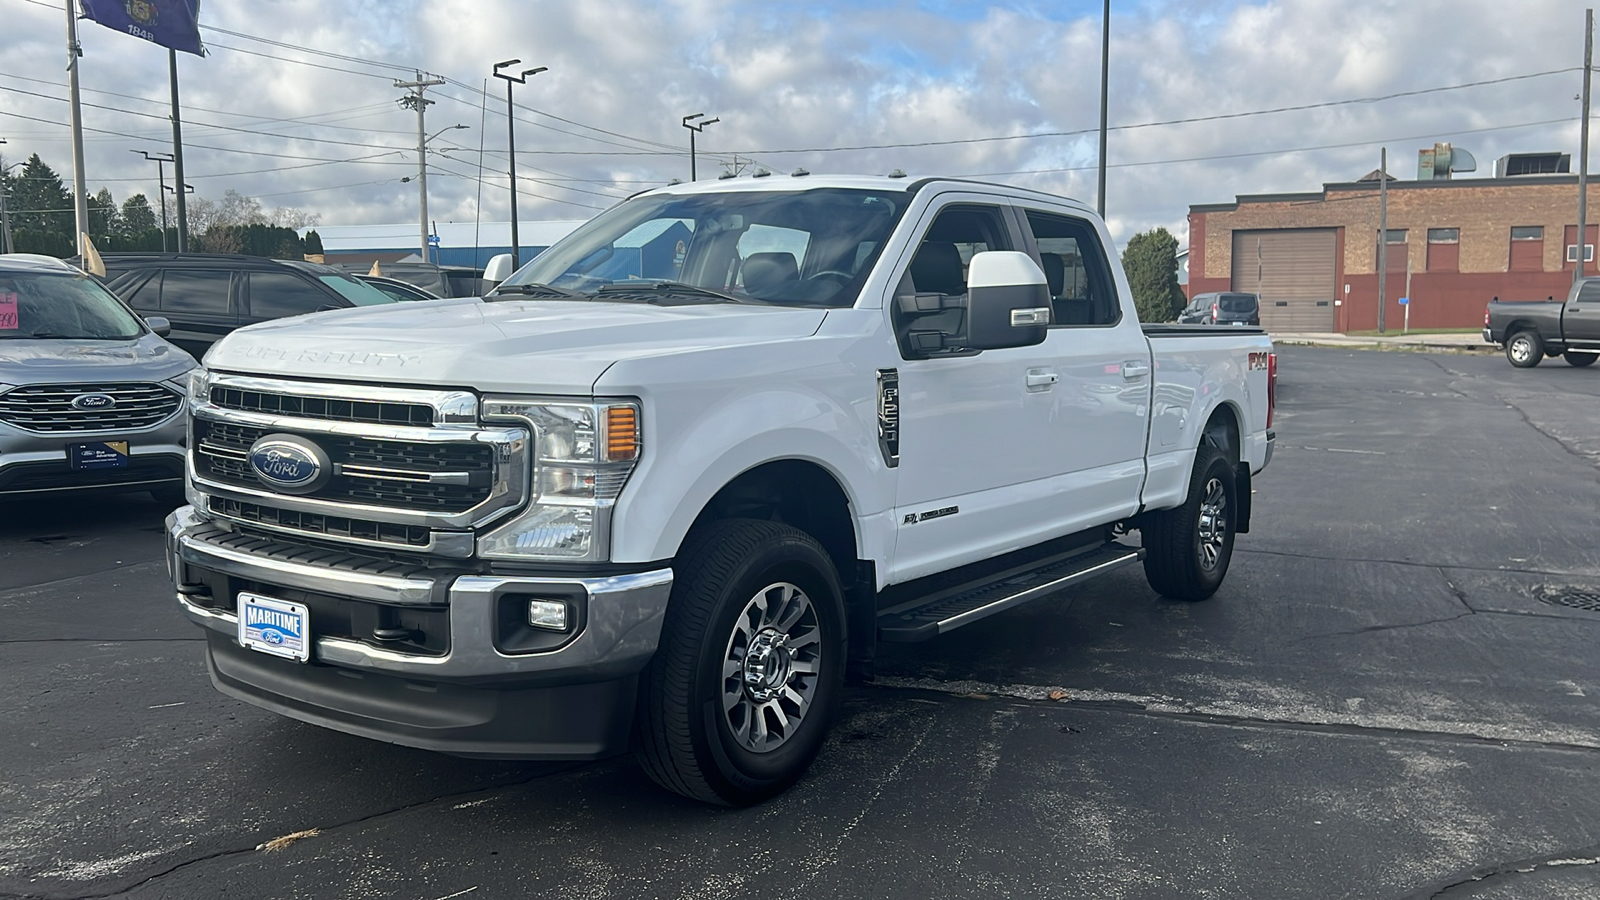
526, 347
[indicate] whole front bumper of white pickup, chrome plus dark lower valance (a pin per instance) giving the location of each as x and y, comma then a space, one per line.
466, 696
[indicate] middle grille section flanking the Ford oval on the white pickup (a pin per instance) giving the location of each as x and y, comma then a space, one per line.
447, 478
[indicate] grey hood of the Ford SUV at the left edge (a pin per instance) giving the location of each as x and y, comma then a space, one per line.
49, 361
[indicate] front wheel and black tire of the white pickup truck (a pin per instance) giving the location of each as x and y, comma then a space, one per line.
686, 733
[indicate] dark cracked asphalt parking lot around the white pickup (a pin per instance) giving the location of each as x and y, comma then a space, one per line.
1383, 701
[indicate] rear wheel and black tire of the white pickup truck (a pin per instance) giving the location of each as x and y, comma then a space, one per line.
1186, 558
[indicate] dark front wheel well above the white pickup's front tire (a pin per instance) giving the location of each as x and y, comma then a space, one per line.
798, 494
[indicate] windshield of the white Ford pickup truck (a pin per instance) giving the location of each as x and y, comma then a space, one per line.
783, 247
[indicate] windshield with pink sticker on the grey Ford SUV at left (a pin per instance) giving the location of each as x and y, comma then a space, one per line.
63, 307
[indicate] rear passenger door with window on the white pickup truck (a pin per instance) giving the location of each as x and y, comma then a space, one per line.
1098, 417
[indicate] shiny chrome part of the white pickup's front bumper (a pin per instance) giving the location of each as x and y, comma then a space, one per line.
620, 630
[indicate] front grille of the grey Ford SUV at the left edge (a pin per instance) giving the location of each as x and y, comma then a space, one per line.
49, 408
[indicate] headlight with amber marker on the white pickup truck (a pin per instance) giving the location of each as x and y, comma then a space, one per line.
585, 454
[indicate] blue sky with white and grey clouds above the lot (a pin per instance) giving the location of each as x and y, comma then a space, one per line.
297, 105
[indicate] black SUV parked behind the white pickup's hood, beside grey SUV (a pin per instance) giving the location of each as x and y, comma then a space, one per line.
207, 295
